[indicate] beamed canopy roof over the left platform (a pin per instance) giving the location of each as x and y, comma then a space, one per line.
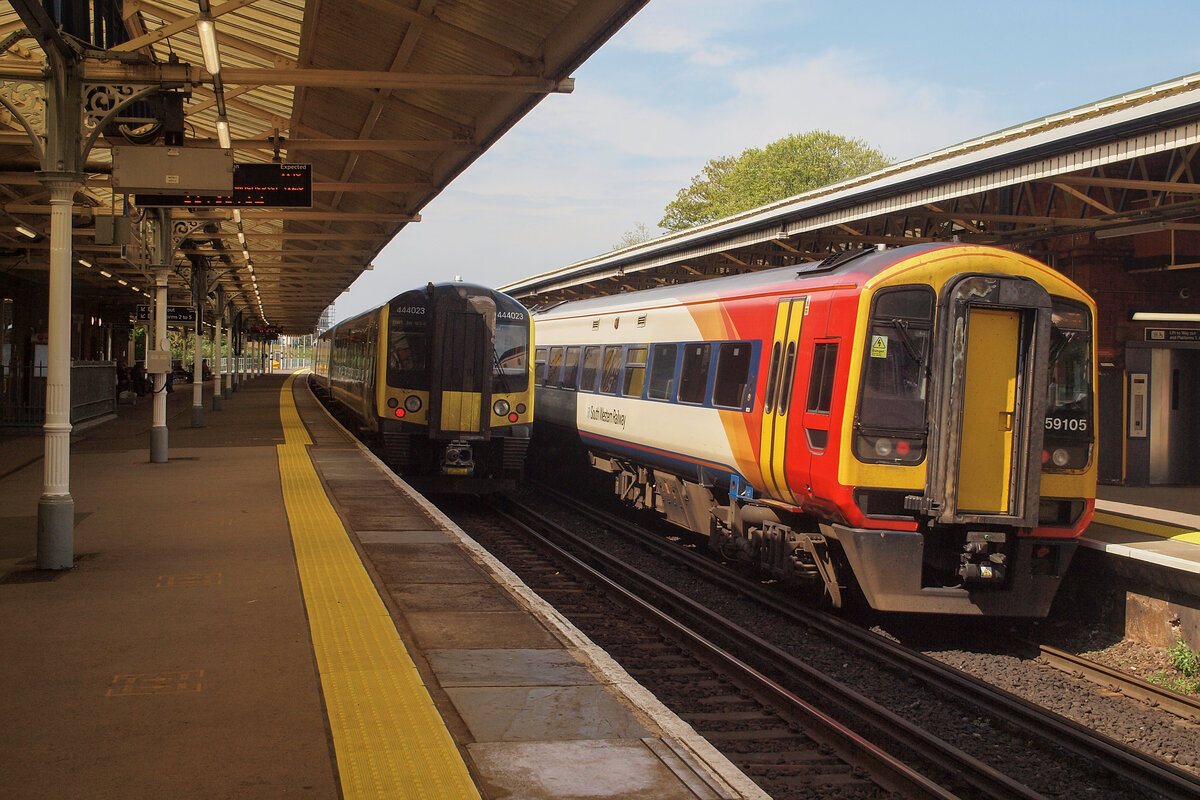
385, 101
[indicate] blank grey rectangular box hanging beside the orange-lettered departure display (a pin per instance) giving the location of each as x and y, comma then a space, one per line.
183, 171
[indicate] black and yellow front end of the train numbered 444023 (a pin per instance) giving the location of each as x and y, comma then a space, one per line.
458, 399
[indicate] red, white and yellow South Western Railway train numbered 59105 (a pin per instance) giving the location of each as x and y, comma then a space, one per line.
911, 428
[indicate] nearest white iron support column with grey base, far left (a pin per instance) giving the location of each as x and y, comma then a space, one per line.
56, 509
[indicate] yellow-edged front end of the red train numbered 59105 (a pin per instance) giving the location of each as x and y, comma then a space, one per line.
993, 459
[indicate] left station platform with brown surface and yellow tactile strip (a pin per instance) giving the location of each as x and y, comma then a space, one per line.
271, 613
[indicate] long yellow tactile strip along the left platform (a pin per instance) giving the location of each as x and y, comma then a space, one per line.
389, 739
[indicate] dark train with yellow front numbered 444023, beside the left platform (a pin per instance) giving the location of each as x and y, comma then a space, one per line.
440, 382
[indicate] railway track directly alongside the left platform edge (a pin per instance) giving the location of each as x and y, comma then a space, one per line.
788, 747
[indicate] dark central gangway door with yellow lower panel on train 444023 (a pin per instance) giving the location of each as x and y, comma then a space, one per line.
461, 369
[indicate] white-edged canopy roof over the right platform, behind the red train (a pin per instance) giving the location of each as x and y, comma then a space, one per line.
1112, 184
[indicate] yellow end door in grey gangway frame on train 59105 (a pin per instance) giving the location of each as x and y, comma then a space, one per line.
994, 336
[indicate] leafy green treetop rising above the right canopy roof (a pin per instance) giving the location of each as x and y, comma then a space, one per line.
784, 169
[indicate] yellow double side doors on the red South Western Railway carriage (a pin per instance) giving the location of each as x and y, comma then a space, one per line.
778, 396
